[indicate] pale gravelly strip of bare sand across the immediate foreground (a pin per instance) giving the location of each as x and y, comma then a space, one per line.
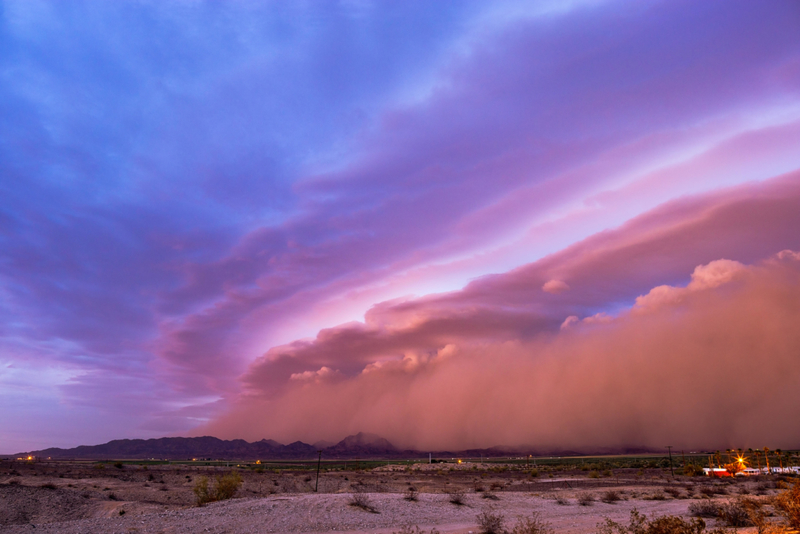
332, 513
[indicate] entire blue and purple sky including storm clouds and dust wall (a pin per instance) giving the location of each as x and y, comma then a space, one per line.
558, 224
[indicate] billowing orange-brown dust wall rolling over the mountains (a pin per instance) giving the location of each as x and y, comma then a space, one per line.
717, 369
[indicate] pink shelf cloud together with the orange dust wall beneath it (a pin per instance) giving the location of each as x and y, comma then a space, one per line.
435, 371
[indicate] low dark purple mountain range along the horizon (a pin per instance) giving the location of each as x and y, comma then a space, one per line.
361, 445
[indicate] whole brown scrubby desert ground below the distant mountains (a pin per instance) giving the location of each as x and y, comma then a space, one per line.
111, 497
